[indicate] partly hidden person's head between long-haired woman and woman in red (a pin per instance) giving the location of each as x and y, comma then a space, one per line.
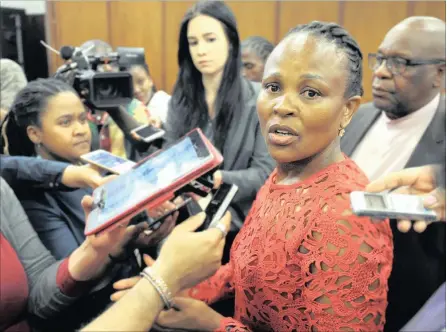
255, 51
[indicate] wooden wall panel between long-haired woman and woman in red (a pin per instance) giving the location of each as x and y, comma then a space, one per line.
255, 18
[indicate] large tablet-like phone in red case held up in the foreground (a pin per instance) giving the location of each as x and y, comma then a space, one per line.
152, 181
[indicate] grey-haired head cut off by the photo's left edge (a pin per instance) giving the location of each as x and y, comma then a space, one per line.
12, 80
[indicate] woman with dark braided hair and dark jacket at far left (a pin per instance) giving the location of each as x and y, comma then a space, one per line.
48, 120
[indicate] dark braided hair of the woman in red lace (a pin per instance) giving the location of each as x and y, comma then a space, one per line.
344, 41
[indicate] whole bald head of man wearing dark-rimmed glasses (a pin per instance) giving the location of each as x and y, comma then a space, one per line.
418, 41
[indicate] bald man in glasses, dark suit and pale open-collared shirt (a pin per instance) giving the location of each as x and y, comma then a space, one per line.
404, 127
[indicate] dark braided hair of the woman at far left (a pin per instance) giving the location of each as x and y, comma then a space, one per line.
26, 110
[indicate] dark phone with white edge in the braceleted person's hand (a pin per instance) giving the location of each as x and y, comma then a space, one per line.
218, 205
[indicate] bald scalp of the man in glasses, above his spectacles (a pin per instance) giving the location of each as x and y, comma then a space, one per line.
425, 33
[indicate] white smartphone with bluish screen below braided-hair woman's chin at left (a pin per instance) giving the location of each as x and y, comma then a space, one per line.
107, 161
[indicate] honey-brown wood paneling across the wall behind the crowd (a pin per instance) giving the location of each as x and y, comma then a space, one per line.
154, 25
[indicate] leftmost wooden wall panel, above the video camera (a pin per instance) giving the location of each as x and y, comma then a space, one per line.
75, 22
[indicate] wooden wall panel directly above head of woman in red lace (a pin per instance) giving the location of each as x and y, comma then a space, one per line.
292, 13
